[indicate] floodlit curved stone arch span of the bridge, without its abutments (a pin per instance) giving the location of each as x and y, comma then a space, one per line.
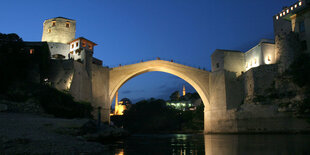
197, 78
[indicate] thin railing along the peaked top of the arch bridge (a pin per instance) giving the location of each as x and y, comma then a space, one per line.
157, 58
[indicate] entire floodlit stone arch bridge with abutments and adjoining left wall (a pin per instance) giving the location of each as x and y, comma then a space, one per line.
98, 85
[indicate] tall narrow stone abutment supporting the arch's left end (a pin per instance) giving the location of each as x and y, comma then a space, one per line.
100, 91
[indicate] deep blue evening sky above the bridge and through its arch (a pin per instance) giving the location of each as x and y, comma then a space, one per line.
126, 31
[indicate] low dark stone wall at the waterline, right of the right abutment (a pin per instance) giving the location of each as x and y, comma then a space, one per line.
253, 118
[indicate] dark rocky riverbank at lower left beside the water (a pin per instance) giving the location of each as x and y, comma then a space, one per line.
22, 133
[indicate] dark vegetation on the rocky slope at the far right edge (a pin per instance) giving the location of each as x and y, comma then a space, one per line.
291, 89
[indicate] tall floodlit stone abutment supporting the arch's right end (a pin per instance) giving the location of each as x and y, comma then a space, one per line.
217, 117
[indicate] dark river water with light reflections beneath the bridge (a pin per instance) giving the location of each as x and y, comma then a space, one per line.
179, 144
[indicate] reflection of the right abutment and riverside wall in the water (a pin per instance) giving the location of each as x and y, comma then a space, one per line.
257, 144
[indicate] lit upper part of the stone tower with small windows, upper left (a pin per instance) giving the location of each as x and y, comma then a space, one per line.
58, 30
